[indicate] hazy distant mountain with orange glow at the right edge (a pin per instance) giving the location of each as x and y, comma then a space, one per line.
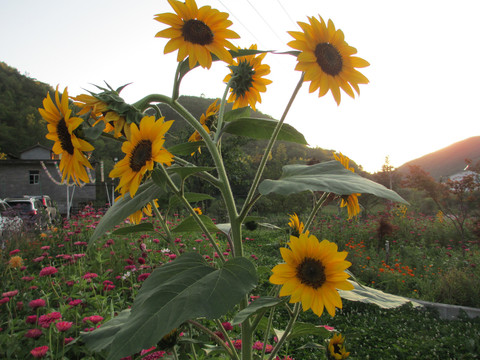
447, 161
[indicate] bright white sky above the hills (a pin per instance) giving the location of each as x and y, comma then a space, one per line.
424, 57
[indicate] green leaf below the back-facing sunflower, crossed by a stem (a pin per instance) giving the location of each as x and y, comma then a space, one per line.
256, 128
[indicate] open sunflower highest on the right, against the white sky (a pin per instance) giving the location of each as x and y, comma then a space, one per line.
326, 59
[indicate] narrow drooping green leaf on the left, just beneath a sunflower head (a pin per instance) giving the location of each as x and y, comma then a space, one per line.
124, 207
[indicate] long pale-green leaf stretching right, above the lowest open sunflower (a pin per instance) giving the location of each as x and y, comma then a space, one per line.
330, 176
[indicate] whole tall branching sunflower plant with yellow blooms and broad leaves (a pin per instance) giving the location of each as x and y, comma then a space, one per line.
190, 293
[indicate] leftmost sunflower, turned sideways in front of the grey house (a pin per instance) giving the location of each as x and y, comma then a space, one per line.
61, 130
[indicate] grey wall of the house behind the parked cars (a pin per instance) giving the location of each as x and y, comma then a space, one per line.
15, 181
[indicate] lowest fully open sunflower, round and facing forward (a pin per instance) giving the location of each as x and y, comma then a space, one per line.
312, 273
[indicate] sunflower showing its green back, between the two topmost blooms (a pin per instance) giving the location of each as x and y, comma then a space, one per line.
247, 72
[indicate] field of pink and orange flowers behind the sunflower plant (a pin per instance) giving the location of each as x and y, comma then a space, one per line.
54, 287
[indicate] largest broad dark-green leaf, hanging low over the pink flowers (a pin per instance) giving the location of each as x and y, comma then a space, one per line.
184, 289
